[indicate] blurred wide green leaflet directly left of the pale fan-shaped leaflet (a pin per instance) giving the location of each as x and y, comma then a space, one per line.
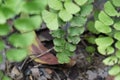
28, 24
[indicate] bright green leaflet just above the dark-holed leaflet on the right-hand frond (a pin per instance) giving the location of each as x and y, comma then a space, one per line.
104, 41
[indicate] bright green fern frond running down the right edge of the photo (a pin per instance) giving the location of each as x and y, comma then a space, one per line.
107, 27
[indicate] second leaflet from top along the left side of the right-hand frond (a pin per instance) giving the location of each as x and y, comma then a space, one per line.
104, 18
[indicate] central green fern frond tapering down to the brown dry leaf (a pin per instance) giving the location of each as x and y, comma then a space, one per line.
73, 16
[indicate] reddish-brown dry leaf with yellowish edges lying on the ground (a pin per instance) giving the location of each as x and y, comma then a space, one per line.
45, 57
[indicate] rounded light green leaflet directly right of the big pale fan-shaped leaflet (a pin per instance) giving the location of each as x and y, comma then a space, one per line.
64, 15
